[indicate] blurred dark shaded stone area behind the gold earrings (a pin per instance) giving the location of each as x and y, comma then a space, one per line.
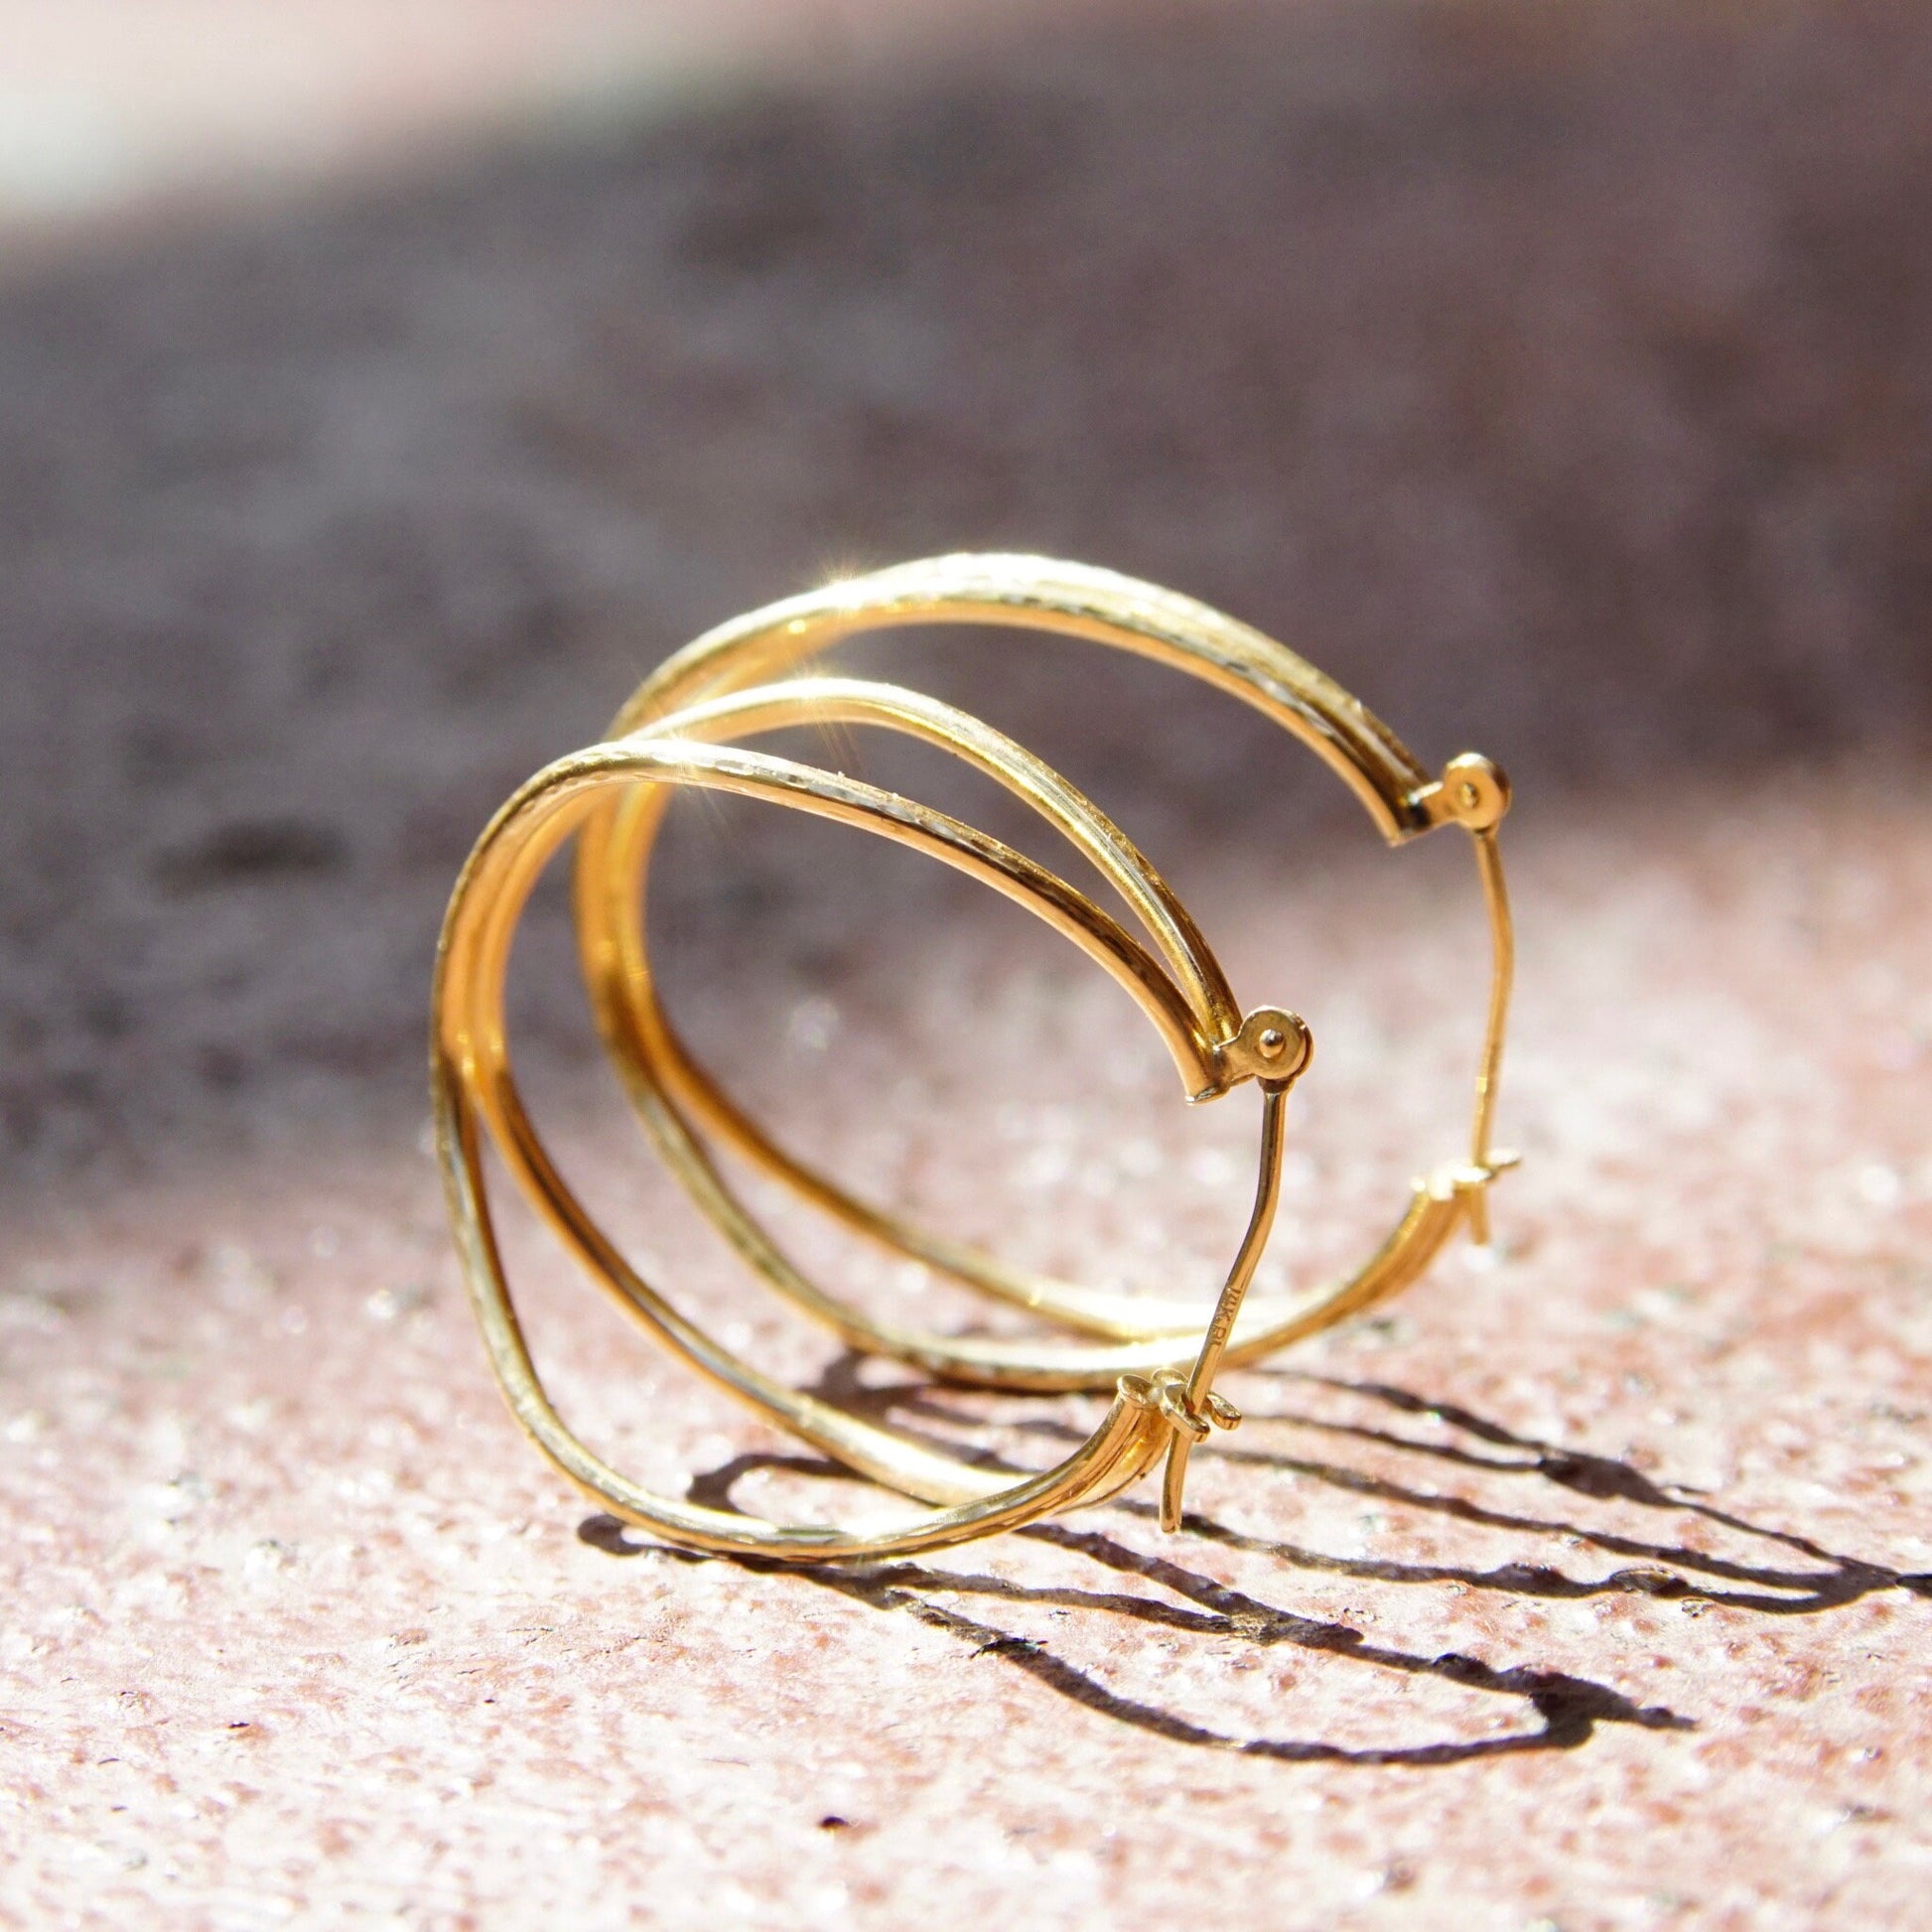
1556, 378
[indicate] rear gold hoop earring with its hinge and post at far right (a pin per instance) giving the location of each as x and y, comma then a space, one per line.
1110, 610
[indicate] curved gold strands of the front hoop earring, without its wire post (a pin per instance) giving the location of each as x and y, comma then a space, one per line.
472, 1083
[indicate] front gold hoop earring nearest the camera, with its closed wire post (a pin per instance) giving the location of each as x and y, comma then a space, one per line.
476, 1096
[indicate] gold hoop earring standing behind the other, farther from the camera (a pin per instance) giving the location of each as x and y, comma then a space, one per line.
681, 1102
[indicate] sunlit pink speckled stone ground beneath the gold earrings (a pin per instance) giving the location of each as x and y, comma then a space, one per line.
1585, 1591
